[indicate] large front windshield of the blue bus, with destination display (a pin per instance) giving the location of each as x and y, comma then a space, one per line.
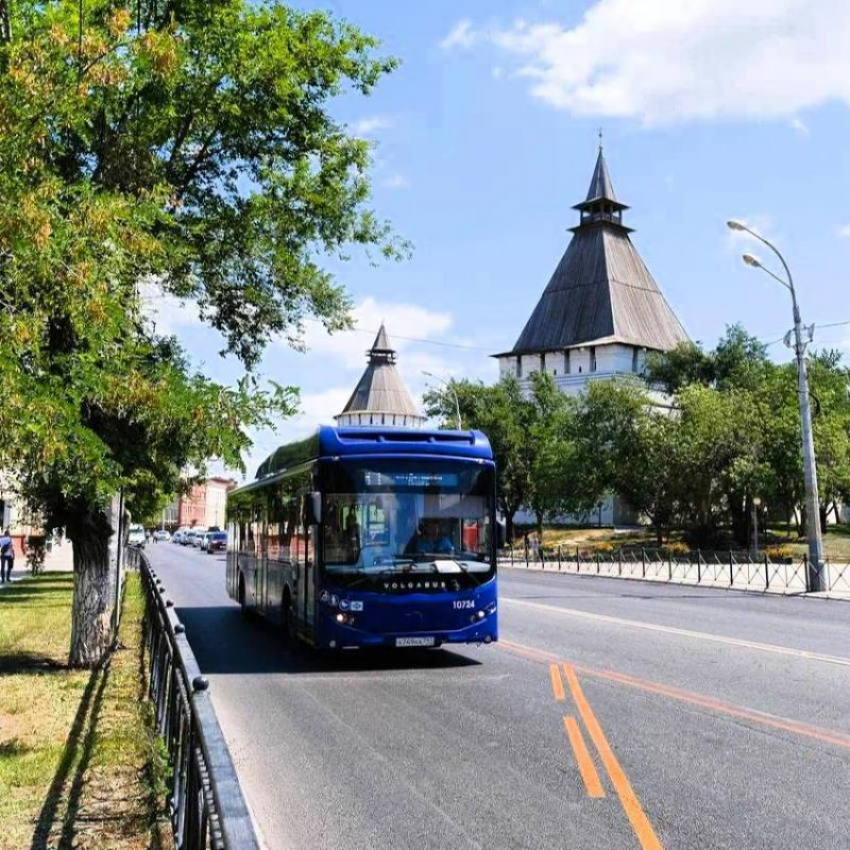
385, 517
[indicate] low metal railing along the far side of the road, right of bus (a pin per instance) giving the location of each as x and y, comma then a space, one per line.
730, 569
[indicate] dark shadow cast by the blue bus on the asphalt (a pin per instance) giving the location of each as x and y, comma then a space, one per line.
225, 641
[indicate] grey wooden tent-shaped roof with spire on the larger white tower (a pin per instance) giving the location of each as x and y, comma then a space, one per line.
601, 290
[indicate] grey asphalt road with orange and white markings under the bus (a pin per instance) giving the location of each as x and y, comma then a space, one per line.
612, 714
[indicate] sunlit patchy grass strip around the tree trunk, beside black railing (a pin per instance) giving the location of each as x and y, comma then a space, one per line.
80, 765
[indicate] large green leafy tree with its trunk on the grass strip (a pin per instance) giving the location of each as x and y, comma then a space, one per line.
184, 148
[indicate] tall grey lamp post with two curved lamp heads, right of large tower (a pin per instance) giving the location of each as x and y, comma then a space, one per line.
817, 578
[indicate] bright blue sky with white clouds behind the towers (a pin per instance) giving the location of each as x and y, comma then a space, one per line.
486, 136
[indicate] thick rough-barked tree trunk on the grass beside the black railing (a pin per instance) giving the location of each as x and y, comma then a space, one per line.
94, 591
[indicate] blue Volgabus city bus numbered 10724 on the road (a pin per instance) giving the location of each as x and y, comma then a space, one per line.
370, 537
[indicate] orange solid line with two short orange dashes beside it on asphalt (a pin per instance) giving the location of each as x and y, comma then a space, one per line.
587, 769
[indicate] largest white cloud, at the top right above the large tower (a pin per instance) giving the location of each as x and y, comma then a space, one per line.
667, 61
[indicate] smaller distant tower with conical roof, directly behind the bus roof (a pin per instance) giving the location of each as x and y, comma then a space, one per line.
381, 397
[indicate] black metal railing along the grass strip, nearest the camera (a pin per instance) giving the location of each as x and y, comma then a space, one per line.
205, 801
